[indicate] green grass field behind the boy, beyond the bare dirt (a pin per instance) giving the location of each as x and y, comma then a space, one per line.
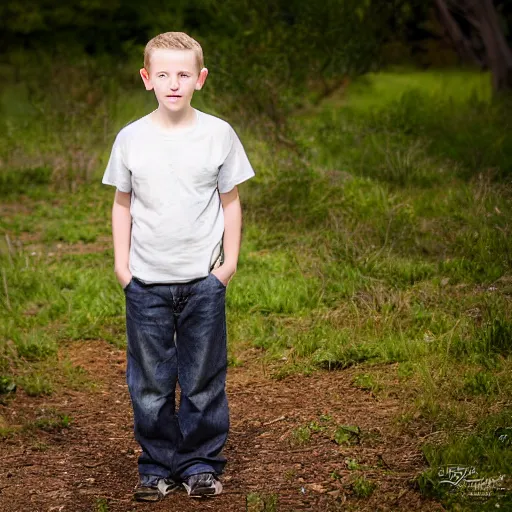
385, 240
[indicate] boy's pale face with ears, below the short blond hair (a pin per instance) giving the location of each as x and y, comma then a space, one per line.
174, 76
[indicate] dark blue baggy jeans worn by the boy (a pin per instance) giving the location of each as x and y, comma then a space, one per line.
189, 441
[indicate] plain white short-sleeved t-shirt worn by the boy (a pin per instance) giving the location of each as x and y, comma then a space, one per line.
175, 180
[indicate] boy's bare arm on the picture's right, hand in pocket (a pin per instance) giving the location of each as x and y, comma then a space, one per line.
232, 234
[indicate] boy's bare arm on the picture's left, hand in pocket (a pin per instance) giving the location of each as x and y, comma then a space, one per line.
121, 233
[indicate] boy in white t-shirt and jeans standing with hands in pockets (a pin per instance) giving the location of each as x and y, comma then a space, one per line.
176, 224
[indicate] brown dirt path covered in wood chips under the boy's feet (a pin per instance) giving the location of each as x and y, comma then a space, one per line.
91, 466
